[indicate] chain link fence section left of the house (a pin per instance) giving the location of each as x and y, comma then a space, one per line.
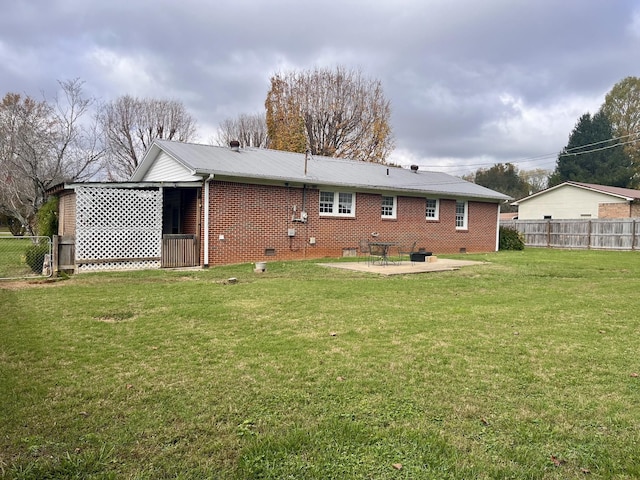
25, 257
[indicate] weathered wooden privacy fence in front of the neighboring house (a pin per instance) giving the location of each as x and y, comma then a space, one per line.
606, 234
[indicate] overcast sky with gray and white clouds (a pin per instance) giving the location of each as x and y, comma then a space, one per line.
471, 83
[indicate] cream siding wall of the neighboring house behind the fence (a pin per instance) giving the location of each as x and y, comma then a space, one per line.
566, 202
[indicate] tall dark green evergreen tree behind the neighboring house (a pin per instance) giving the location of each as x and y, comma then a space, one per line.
593, 155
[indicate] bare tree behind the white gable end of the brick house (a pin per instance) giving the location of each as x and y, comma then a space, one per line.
129, 126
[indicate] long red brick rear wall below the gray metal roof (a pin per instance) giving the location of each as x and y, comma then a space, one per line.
254, 220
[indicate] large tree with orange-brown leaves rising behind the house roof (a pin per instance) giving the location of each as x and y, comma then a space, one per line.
340, 113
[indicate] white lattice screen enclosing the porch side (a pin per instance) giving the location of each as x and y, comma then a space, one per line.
118, 228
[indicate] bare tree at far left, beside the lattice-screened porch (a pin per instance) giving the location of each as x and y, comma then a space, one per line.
43, 143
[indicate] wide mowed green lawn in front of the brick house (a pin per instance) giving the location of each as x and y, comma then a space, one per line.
523, 367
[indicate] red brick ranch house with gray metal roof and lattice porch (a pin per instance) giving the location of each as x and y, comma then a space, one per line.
202, 205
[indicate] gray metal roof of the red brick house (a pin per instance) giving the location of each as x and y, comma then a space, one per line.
257, 164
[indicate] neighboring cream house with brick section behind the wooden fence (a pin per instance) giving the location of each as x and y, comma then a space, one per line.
575, 200
